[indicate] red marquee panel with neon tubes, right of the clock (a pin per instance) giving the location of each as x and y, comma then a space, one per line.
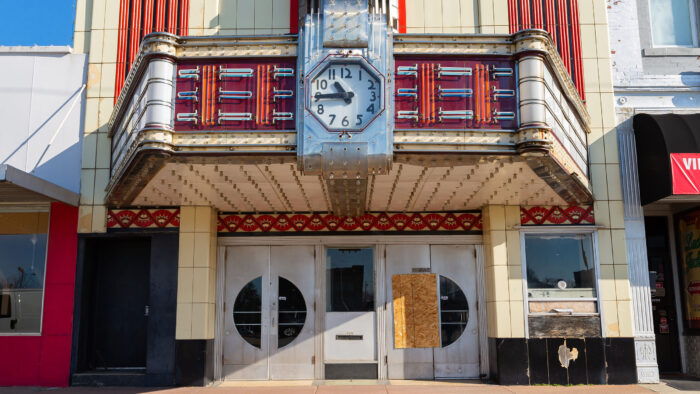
455, 93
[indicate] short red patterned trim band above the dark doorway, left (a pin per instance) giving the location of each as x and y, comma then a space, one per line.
143, 218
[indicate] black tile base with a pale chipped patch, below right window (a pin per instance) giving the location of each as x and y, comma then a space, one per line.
591, 360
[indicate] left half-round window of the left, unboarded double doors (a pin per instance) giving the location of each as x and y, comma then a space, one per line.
247, 311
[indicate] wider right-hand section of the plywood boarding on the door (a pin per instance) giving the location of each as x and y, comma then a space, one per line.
425, 310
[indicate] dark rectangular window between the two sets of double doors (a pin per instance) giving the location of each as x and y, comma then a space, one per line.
350, 280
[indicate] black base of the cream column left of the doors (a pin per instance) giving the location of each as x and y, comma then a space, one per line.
193, 365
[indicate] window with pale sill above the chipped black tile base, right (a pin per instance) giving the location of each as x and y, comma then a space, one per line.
560, 266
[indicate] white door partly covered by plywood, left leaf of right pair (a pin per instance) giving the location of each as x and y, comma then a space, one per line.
405, 363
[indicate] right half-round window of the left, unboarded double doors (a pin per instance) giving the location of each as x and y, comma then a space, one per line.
291, 314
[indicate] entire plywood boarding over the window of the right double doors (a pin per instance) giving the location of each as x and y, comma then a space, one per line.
416, 320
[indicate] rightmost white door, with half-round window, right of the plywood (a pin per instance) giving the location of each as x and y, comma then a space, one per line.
460, 359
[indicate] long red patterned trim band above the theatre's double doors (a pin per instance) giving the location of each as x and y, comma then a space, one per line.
371, 222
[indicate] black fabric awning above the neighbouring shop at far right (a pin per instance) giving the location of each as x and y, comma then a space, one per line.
657, 137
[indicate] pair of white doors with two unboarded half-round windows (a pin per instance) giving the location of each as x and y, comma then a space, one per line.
275, 339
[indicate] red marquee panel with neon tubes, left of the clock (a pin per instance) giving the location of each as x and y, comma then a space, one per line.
235, 94
